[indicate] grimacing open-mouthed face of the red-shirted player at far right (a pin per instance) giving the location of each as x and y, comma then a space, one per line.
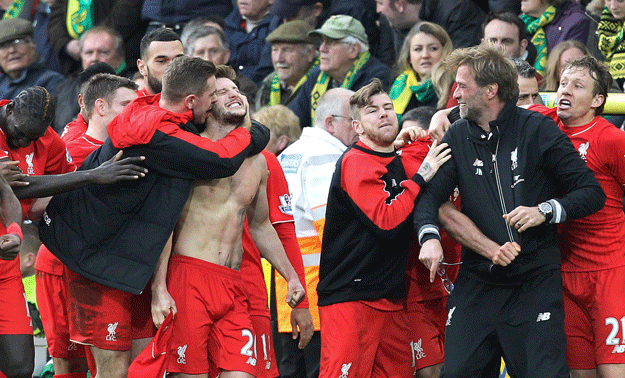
576, 99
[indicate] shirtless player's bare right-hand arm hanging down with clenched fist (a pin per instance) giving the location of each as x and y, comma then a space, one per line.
266, 239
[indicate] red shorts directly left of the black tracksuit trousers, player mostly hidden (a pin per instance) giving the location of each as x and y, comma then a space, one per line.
426, 320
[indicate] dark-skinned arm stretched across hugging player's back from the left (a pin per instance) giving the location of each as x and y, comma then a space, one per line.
111, 171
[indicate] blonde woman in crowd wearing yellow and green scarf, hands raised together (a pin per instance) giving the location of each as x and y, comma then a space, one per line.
422, 79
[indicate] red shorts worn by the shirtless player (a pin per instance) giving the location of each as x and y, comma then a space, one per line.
212, 326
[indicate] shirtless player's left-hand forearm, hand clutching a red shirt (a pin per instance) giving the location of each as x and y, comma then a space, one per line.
162, 302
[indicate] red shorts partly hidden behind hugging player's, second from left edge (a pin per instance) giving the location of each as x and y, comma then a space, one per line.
52, 304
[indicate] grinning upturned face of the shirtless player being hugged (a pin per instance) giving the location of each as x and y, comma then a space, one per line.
231, 106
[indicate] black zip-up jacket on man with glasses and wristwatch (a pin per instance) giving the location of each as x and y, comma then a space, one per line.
523, 161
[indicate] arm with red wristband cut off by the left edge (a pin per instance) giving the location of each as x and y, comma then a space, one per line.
11, 215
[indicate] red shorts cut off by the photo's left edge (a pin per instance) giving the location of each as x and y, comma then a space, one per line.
14, 314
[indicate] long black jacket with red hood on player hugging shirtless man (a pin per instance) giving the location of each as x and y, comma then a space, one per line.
114, 234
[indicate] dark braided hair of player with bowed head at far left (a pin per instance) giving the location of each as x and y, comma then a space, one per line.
35, 104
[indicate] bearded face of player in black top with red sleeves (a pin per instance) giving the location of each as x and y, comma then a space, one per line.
378, 125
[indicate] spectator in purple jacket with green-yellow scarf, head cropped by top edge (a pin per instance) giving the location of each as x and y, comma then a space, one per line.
550, 22
